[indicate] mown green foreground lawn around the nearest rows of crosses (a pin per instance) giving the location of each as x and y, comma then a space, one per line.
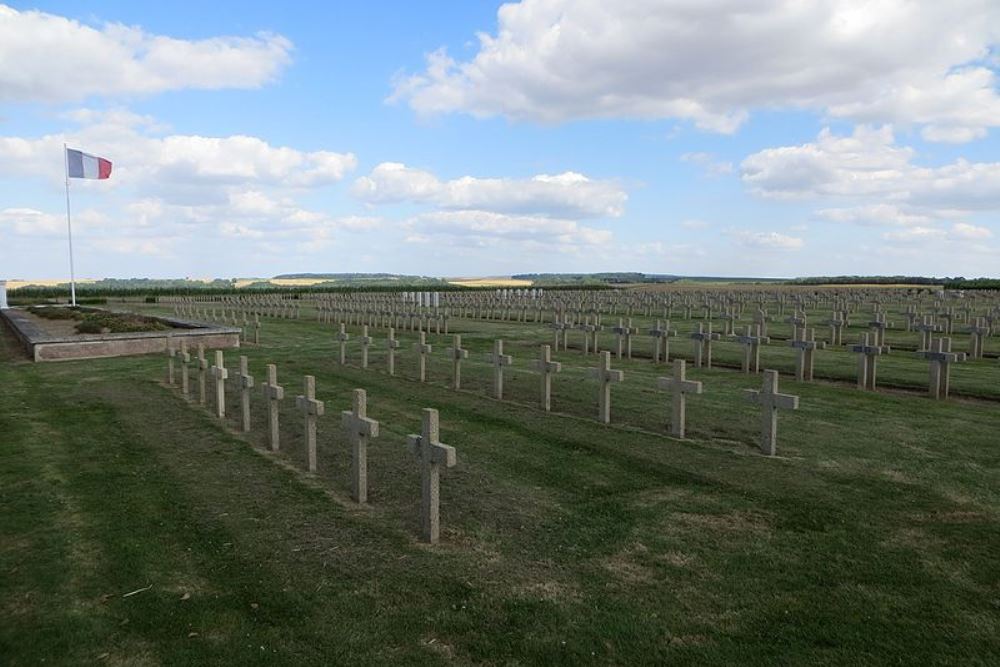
135, 529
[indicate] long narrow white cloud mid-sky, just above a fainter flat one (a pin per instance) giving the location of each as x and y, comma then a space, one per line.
568, 194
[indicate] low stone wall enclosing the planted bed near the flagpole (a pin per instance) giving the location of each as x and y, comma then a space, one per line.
43, 347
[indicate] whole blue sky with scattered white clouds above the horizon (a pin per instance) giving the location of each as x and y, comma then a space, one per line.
462, 138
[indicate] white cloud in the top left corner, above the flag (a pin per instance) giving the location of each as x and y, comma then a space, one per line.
50, 58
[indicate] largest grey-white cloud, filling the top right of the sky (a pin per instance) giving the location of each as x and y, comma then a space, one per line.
714, 61
